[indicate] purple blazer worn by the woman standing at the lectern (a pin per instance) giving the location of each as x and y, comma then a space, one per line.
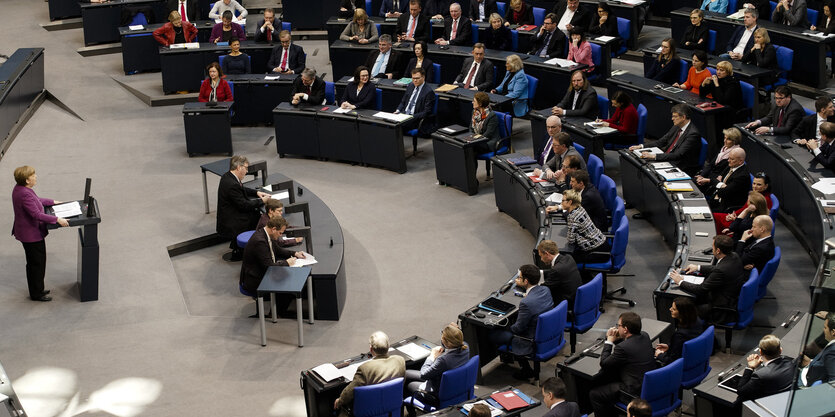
30, 219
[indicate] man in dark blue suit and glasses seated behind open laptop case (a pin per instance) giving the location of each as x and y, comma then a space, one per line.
537, 300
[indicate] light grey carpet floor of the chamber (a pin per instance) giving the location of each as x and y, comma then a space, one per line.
170, 336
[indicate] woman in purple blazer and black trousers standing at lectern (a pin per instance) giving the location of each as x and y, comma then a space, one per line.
30, 228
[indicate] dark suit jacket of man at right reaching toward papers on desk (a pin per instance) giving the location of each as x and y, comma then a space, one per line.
722, 283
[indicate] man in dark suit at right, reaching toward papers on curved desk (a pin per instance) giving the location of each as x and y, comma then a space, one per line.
723, 280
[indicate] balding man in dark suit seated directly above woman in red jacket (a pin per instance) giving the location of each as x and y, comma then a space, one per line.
729, 191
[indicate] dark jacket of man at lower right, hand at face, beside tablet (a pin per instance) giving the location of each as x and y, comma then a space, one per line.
767, 380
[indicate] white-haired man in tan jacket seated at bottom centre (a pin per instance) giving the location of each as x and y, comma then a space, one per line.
380, 368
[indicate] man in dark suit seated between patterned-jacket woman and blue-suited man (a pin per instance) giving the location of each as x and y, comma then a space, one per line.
563, 277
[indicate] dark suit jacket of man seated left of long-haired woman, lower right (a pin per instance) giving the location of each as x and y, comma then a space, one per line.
630, 359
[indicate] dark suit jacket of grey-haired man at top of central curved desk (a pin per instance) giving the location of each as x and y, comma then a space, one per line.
237, 207
